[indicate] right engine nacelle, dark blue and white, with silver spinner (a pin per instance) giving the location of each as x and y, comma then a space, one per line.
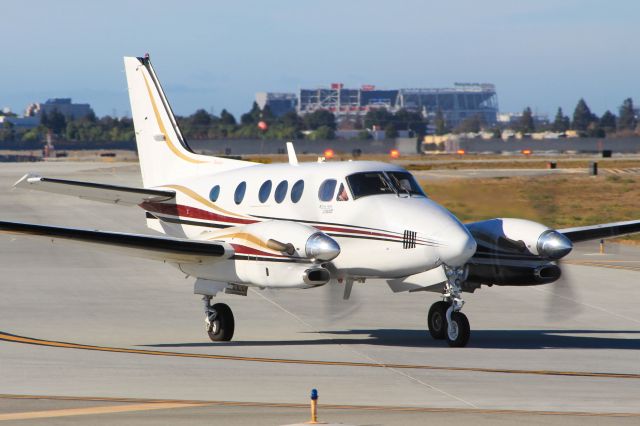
519, 237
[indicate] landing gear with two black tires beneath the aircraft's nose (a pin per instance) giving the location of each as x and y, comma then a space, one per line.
445, 320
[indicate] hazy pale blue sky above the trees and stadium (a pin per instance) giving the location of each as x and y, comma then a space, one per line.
217, 54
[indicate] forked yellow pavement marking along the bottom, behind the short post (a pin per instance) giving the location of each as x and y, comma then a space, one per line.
139, 404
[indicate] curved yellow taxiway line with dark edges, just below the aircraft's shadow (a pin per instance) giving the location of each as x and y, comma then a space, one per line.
50, 343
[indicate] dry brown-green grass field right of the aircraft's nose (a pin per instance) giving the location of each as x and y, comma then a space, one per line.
557, 201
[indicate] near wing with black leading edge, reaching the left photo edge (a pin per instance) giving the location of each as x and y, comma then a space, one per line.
146, 246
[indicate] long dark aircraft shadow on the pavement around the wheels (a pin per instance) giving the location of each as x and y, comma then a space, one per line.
482, 339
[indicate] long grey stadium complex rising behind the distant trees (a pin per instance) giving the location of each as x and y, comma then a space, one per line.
457, 103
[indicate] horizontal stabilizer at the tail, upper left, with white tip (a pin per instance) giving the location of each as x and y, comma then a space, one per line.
94, 191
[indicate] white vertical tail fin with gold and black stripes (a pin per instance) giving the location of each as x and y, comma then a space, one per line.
164, 155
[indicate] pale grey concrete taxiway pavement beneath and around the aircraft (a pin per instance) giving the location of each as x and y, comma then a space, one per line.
93, 337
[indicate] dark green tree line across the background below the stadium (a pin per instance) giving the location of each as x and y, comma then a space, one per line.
260, 123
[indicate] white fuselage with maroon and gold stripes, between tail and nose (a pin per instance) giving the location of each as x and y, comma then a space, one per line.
387, 235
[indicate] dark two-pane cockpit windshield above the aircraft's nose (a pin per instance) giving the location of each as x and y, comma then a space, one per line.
374, 183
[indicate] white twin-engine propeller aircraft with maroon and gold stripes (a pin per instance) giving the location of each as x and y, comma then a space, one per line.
235, 224
